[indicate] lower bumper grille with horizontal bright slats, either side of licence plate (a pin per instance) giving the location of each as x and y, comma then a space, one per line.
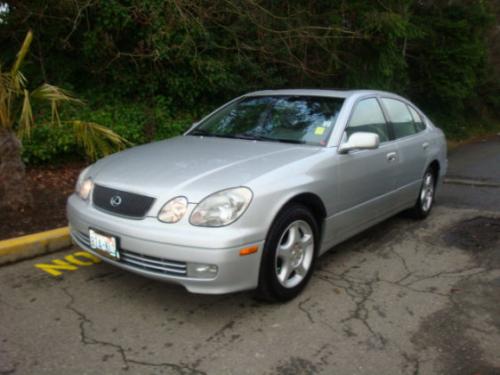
145, 262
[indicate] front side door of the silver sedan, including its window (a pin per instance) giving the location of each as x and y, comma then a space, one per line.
364, 179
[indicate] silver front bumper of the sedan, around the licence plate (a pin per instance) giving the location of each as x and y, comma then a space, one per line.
148, 248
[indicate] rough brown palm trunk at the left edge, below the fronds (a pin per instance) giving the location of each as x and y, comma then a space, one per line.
14, 192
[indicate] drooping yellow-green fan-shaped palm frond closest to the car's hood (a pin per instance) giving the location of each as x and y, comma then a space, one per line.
96, 139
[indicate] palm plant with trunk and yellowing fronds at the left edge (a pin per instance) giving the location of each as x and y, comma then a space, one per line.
17, 121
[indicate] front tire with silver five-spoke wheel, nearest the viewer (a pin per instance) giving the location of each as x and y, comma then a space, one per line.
289, 255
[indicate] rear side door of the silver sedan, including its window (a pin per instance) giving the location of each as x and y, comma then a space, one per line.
412, 146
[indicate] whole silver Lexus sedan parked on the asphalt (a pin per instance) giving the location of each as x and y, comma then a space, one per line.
251, 195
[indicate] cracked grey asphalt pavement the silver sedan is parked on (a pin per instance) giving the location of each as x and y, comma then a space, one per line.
405, 297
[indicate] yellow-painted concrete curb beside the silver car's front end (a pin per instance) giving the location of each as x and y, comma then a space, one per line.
16, 249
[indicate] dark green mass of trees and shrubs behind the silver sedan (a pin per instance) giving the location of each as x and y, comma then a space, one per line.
150, 69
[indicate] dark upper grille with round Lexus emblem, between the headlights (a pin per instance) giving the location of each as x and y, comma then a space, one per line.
125, 203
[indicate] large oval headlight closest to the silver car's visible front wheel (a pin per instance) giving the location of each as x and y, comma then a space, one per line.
221, 208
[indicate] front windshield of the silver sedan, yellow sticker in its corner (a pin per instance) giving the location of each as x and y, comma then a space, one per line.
293, 119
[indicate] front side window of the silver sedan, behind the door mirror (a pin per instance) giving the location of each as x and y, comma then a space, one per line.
367, 116
